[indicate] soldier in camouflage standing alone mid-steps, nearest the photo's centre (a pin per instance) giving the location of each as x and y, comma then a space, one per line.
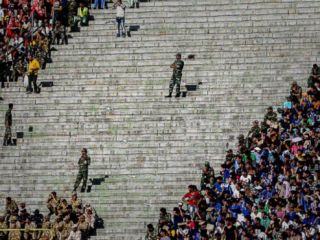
177, 67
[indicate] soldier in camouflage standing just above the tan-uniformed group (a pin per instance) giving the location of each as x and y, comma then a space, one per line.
83, 163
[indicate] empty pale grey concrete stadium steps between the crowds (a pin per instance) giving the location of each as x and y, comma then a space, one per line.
108, 96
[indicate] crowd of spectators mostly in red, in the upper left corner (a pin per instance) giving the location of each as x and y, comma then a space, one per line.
28, 28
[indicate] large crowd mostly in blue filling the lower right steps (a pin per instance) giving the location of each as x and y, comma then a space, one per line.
267, 189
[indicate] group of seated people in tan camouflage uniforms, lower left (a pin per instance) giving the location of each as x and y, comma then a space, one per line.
67, 220
